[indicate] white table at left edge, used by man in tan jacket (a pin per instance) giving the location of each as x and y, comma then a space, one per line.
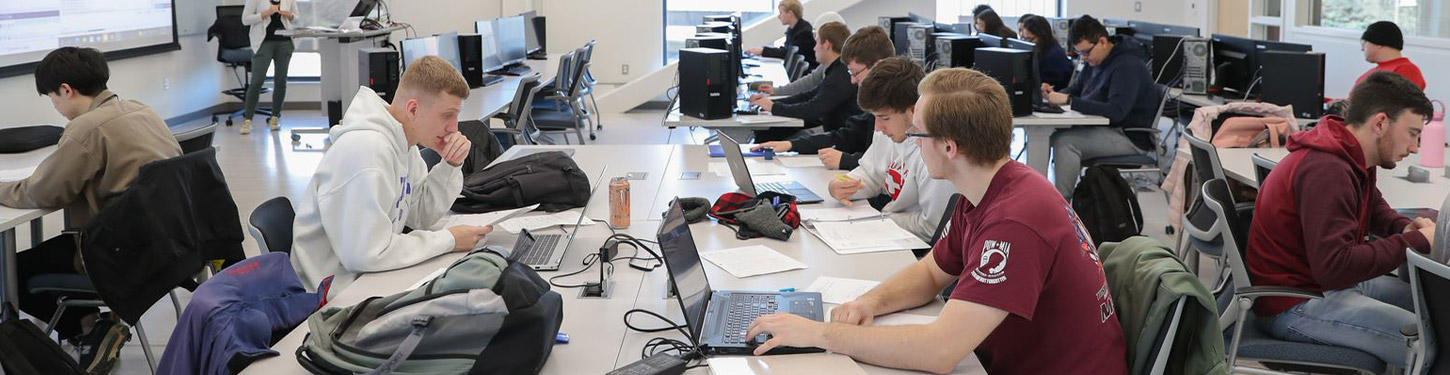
14, 218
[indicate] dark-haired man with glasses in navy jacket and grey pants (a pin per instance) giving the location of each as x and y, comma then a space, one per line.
1116, 85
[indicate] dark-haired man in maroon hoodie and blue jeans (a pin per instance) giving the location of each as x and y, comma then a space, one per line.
1316, 214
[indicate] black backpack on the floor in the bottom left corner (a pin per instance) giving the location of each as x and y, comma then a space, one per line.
28, 351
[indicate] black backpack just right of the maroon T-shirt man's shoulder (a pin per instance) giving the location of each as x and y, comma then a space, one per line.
1107, 206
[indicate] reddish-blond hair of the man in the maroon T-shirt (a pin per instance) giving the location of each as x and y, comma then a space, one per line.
969, 109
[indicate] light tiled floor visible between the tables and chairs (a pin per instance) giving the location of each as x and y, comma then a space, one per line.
263, 166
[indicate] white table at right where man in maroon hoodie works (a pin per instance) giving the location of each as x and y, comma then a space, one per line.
1399, 192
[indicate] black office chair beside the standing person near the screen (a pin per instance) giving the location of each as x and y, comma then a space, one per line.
234, 50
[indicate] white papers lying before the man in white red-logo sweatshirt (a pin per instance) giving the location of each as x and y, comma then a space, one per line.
866, 237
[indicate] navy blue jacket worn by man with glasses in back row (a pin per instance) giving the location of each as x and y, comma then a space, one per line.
1120, 89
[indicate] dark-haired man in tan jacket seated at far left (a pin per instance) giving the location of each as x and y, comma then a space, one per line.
102, 150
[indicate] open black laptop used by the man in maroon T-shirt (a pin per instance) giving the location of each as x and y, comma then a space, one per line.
720, 321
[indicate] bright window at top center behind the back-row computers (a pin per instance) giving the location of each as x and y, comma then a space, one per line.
681, 18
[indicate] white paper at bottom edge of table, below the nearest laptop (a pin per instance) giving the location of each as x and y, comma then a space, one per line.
833, 364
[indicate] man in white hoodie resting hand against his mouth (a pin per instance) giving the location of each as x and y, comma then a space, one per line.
373, 182
